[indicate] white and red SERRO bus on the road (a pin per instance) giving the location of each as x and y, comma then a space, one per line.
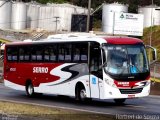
79, 66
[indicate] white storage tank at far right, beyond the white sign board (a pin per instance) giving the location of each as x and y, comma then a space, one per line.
151, 15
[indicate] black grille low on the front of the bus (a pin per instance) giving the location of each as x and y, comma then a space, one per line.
131, 91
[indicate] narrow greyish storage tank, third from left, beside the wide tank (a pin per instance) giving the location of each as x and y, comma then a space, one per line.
32, 15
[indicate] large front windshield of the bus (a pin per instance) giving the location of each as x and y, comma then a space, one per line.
125, 59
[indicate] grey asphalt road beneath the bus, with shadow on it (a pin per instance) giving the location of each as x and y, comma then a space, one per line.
141, 106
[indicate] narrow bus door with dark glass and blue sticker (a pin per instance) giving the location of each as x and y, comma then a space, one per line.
95, 70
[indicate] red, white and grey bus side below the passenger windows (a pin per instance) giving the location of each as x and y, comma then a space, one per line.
54, 78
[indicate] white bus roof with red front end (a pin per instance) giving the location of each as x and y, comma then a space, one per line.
85, 37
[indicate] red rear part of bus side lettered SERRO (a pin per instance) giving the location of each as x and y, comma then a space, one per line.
19, 73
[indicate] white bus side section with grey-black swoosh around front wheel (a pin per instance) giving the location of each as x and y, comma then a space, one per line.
70, 74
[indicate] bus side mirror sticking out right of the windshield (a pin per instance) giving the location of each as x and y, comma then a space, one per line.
152, 53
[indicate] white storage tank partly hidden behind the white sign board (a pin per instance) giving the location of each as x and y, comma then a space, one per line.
108, 11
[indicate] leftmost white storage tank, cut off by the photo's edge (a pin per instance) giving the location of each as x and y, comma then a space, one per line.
5, 12
